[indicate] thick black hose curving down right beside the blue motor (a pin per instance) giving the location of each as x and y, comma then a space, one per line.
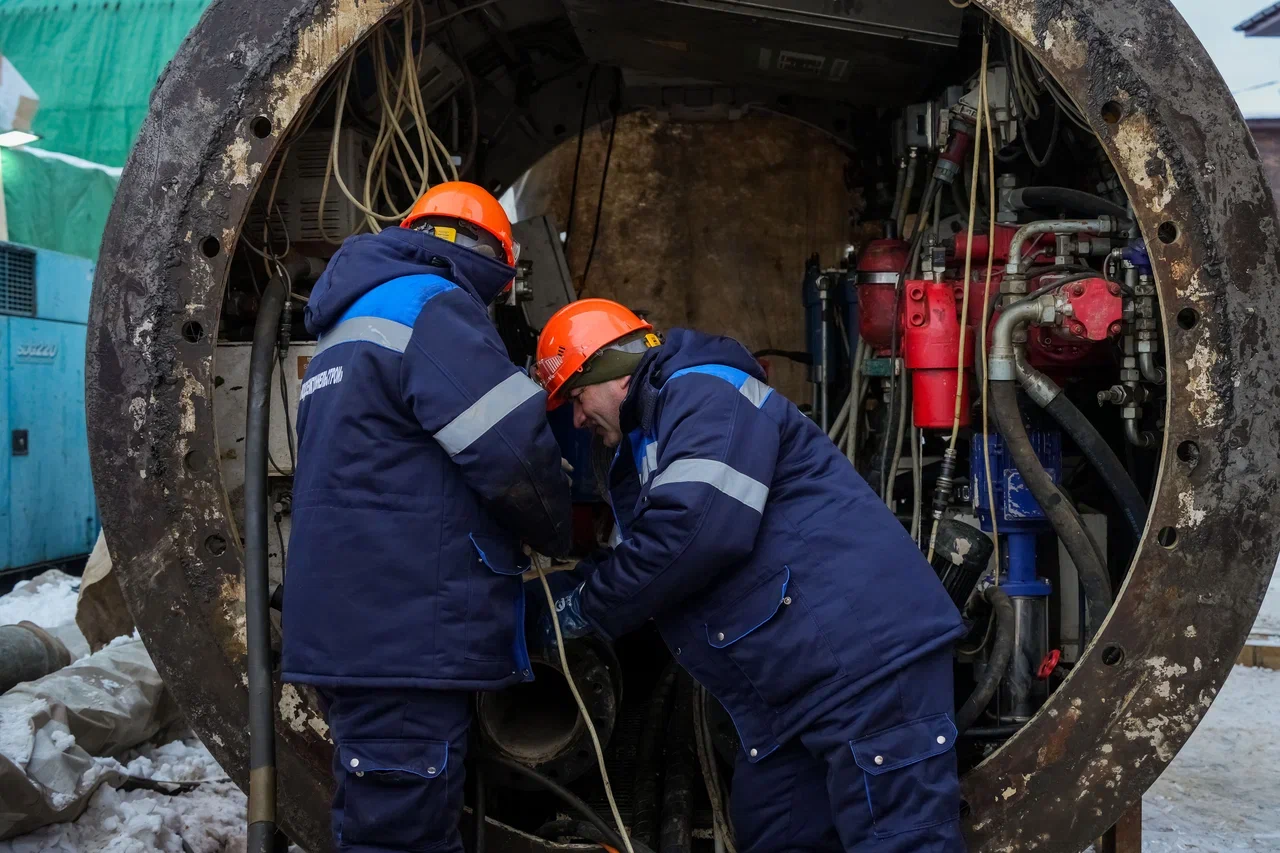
1067, 523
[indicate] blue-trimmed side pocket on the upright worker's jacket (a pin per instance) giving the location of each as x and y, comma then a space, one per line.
496, 601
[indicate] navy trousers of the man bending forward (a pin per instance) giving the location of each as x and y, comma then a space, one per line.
876, 777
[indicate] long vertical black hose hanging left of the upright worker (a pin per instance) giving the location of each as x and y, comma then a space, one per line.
258, 583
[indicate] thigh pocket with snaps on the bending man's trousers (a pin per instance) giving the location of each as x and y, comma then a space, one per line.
911, 774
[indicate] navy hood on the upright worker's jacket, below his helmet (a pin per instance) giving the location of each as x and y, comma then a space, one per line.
367, 262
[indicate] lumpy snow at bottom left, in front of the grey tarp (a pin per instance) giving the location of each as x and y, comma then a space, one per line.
209, 819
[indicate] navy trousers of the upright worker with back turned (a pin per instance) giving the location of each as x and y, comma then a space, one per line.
397, 763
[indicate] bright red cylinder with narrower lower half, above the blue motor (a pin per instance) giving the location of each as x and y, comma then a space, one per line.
931, 343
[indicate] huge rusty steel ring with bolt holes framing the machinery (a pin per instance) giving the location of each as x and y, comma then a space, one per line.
1186, 159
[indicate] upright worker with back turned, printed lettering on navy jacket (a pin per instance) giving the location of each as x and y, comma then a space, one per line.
424, 460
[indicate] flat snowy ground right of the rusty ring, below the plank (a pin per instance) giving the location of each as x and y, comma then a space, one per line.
1220, 792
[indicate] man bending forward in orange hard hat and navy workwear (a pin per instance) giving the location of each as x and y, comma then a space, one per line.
778, 580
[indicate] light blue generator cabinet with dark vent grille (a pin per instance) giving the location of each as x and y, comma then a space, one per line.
48, 513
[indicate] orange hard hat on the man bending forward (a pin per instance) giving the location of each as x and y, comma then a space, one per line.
577, 334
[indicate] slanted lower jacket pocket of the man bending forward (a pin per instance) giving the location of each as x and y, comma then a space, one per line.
770, 635
